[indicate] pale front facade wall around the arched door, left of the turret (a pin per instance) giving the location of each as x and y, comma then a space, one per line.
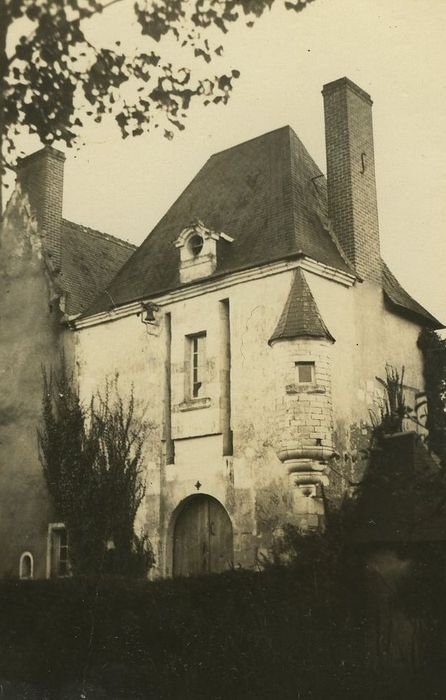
137, 352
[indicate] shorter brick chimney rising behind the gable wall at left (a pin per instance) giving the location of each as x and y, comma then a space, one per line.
41, 175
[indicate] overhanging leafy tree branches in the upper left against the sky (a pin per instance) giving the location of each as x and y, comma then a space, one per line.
52, 73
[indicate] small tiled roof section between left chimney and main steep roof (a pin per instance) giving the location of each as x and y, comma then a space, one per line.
90, 260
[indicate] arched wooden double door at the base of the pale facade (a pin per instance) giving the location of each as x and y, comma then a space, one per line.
202, 538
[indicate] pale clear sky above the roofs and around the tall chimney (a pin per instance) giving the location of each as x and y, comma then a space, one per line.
393, 49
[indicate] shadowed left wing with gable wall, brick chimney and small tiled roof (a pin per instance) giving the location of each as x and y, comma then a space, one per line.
50, 269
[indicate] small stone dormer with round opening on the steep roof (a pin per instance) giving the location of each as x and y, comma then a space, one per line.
199, 247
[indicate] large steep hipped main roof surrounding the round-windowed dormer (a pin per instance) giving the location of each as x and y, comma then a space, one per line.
262, 193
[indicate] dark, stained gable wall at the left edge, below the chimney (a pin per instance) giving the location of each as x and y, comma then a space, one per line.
31, 337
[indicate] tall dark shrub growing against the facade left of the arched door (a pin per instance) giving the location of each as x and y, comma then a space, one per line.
92, 462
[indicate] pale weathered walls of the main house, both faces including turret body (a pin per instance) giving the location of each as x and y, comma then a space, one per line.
253, 484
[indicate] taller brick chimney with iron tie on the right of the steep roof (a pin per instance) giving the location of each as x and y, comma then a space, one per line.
352, 202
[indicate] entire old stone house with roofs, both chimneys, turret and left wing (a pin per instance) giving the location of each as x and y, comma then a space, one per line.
252, 323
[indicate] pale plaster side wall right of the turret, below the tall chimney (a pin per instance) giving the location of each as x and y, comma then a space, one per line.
368, 336
